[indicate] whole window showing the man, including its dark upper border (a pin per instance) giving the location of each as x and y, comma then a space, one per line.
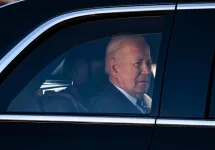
80, 70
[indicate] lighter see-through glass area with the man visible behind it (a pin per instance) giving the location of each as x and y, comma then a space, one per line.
117, 78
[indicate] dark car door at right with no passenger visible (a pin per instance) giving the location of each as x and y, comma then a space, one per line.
183, 121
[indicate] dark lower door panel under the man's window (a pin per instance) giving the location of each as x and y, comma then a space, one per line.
57, 136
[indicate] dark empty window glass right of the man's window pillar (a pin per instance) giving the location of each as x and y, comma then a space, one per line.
190, 54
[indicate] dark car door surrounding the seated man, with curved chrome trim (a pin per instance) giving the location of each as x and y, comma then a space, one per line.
27, 66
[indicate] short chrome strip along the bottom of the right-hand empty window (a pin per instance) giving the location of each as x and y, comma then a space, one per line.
185, 122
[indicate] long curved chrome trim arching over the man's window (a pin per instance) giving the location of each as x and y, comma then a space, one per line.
98, 11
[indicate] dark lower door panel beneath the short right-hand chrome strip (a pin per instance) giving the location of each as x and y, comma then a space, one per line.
183, 137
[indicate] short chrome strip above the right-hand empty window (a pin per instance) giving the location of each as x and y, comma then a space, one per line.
196, 6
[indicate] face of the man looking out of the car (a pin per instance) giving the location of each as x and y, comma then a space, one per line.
134, 68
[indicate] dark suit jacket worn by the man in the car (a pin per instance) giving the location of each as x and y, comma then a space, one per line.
112, 101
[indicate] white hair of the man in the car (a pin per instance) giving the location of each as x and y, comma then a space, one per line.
116, 44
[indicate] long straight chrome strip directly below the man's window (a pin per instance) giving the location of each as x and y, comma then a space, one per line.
78, 119
